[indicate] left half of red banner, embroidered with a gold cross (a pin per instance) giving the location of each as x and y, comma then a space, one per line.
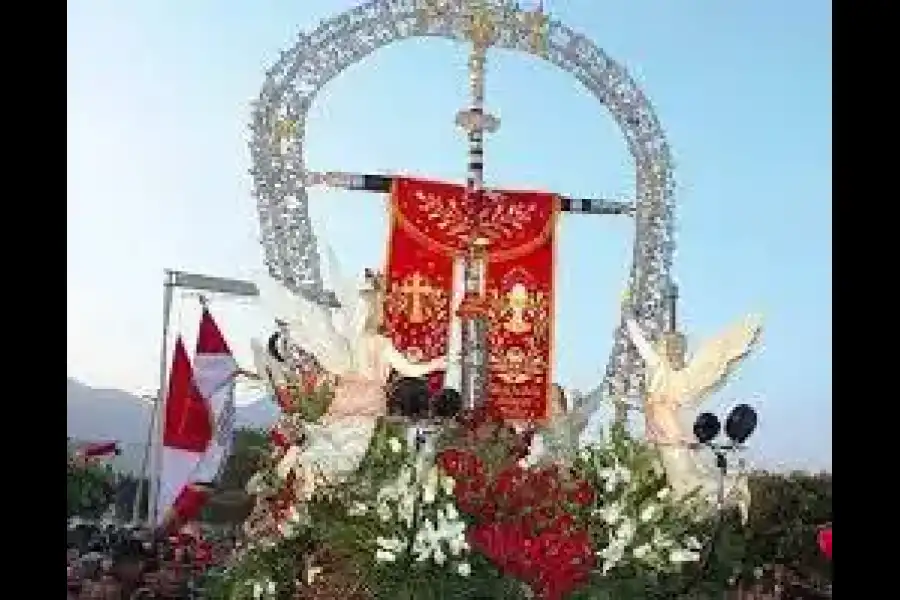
419, 274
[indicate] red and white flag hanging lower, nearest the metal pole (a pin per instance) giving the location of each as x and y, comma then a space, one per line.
188, 430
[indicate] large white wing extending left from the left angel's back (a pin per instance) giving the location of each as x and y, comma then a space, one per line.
310, 325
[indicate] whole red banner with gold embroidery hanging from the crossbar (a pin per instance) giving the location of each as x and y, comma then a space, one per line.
431, 222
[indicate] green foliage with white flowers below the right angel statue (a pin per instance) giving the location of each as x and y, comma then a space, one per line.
650, 543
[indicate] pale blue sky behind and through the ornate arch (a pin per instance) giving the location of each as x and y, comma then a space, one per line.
158, 97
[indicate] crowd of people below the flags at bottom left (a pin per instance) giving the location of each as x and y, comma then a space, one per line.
110, 562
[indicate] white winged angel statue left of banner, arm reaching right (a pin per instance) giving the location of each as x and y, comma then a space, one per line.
348, 344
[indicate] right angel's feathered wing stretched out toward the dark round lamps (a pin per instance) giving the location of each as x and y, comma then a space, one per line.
714, 361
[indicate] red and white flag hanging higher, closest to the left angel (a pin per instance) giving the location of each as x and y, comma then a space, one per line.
214, 372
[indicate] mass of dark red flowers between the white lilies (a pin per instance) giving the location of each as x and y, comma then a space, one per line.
521, 517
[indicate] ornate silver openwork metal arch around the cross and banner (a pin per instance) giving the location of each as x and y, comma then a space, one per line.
280, 176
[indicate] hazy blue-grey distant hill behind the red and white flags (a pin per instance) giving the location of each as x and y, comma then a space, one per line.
109, 414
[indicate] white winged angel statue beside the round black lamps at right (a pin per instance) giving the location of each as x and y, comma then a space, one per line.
675, 386
